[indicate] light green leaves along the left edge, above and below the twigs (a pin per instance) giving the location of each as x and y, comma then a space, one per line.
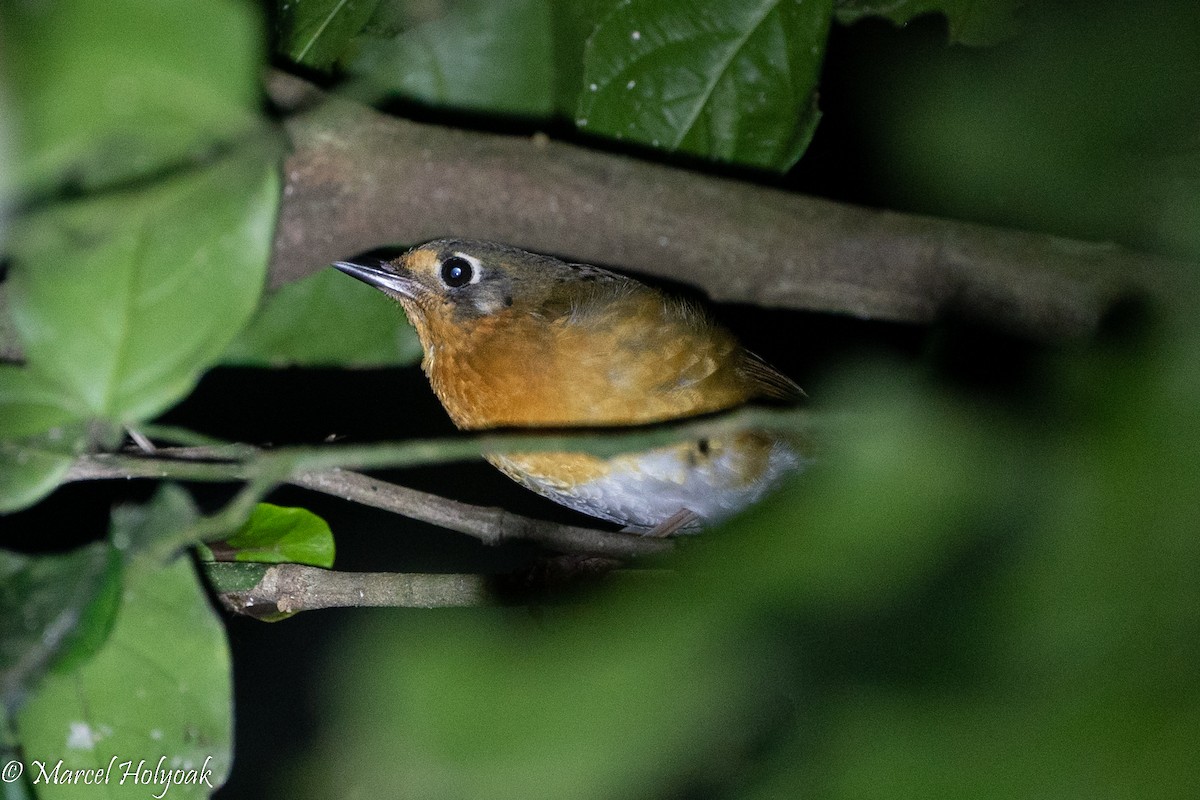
148, 185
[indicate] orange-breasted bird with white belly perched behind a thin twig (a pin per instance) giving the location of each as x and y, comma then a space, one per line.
519, 340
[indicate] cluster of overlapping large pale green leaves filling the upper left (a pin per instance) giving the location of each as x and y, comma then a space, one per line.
123, 298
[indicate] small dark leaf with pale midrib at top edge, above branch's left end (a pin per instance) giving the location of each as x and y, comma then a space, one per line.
316, 33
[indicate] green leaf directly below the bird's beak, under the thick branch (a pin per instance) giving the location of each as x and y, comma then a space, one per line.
327, 321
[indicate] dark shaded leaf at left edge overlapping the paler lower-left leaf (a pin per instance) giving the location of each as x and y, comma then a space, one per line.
56, 612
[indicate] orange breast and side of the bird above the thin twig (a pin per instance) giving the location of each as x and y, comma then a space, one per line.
633, 363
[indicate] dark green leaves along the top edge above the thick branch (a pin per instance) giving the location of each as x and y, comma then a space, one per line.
729, 81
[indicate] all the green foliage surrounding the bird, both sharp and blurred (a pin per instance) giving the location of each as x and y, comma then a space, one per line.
958, 601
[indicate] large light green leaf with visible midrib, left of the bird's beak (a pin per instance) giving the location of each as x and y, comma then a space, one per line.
123, 300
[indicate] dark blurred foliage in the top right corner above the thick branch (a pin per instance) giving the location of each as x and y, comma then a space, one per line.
1073, 129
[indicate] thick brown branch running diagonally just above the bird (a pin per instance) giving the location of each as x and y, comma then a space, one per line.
358, 179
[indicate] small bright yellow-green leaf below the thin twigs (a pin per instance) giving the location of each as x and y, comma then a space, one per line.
279, 536
